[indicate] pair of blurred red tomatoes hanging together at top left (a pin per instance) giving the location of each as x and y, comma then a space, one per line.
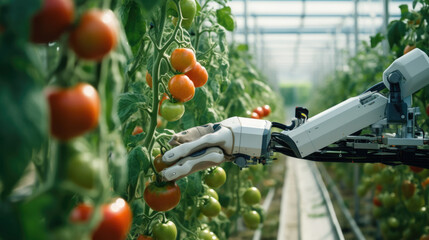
93, 37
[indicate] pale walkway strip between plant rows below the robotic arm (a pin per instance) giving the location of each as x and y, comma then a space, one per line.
306, 209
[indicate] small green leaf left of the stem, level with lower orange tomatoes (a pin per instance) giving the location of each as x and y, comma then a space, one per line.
129, 104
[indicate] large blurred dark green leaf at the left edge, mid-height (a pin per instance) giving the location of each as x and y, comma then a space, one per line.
24, 121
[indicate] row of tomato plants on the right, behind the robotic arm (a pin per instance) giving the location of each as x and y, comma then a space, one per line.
398, 194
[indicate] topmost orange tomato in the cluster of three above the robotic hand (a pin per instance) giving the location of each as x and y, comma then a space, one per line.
183, 59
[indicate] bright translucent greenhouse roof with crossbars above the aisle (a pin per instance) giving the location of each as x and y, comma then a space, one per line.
295, 39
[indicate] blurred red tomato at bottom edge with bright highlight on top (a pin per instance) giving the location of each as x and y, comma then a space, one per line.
116, 222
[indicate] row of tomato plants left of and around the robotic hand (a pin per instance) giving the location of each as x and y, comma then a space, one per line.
91, 92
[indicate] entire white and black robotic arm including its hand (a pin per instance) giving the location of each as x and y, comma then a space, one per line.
329, 136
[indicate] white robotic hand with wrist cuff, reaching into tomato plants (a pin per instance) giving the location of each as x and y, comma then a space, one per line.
198, 148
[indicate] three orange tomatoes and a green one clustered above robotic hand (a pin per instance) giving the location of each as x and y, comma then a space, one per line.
182, 85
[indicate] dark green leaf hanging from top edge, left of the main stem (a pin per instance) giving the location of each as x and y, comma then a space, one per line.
134, 24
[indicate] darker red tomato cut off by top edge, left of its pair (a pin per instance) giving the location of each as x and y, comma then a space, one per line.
51, 21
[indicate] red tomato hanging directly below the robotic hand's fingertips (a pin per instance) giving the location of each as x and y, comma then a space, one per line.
162, 196
